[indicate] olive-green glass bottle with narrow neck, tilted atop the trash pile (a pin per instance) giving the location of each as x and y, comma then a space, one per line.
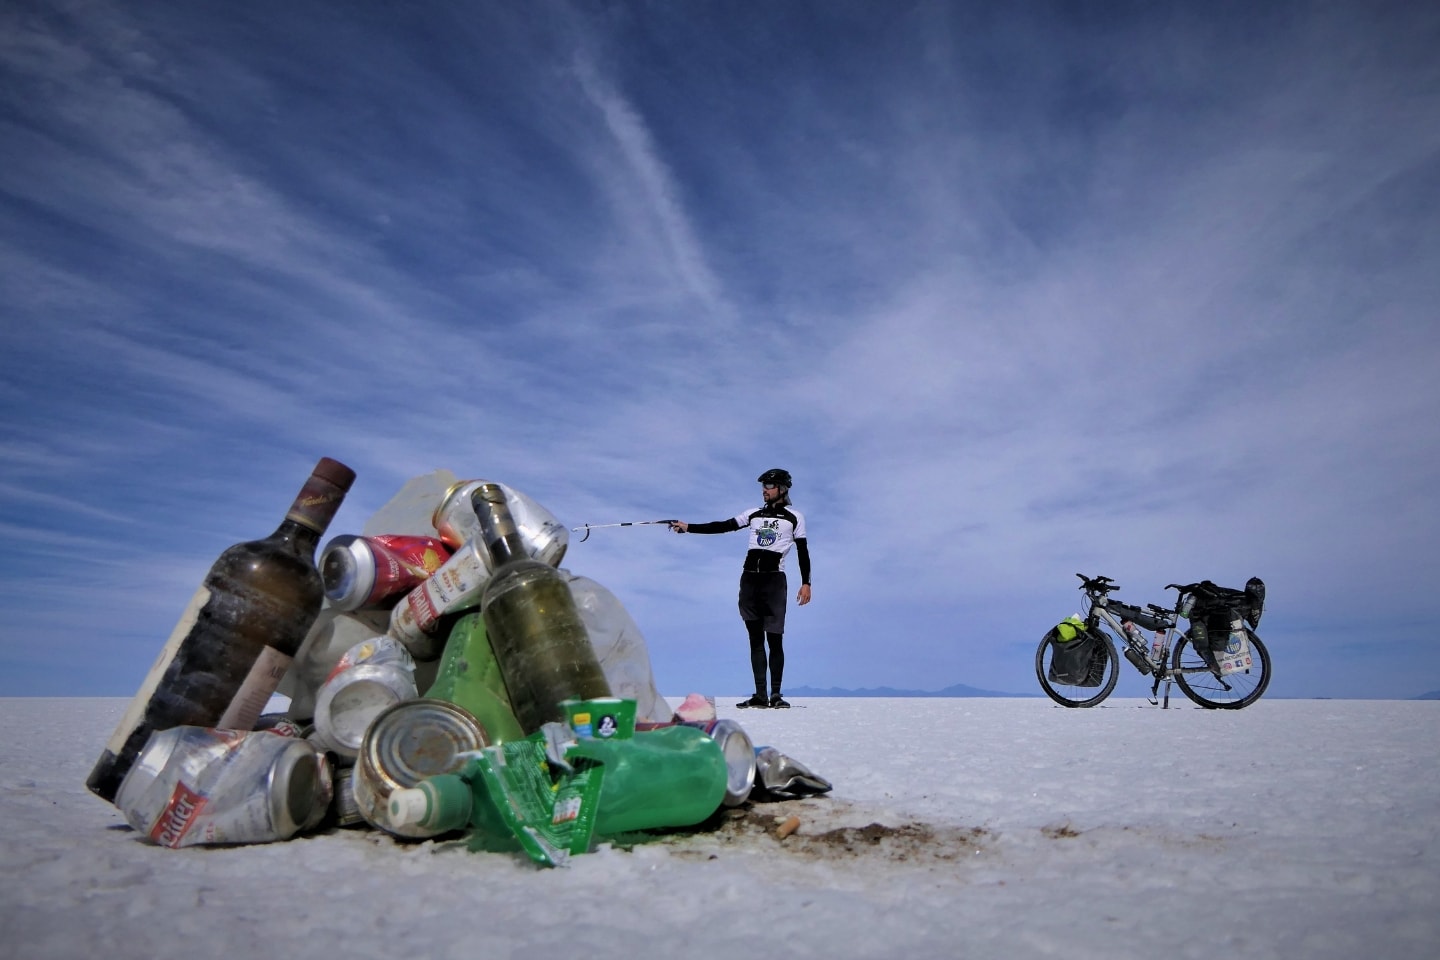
536, 633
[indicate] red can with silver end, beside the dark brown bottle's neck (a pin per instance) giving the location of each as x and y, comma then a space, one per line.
364, 572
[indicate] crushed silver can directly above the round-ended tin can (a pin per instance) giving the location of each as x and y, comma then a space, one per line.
369, 677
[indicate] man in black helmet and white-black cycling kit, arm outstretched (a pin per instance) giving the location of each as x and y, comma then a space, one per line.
774, 527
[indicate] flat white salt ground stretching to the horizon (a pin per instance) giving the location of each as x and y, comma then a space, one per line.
958, 828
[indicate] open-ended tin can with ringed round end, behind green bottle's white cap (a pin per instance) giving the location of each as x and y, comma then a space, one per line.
405, 745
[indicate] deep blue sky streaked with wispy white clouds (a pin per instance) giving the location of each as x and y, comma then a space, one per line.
1013, 290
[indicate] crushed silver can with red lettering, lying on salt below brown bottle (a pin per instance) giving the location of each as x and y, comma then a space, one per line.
199, 785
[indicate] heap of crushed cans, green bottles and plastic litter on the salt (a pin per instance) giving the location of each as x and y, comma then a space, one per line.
456, 681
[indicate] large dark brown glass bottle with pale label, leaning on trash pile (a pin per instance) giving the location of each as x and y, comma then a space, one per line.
237, 638
